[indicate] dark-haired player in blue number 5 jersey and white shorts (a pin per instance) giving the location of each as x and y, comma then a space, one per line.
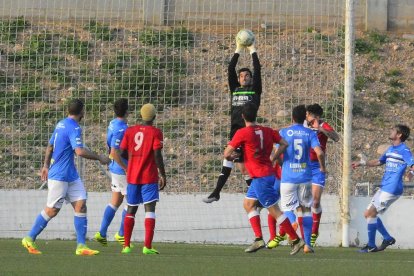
296, 180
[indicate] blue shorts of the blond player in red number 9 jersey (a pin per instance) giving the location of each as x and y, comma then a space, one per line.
145, 193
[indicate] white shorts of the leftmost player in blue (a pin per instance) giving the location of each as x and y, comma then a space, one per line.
59, 191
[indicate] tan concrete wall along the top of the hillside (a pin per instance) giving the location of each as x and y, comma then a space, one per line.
369, 14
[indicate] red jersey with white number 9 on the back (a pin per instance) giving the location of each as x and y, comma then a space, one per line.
141, 142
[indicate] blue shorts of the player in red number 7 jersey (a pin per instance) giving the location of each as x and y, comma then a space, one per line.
264, 189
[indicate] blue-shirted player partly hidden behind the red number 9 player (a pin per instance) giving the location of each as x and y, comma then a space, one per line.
117, 167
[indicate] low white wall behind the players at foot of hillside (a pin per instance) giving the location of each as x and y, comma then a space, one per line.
185, 218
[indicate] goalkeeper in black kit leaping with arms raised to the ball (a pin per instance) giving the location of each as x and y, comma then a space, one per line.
244, 87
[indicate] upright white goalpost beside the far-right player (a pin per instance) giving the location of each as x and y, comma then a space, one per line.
348, 98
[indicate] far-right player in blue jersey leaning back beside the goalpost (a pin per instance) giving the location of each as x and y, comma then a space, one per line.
396, 159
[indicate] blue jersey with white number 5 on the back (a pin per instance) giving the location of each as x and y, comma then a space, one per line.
296, 158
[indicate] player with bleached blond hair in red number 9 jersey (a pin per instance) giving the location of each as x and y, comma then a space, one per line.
145, 175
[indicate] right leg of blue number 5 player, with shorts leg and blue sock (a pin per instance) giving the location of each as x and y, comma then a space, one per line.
305, 201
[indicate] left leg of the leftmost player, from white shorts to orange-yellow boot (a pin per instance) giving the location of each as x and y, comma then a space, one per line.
55, 198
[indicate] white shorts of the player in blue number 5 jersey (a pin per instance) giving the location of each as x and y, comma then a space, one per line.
295, 195
